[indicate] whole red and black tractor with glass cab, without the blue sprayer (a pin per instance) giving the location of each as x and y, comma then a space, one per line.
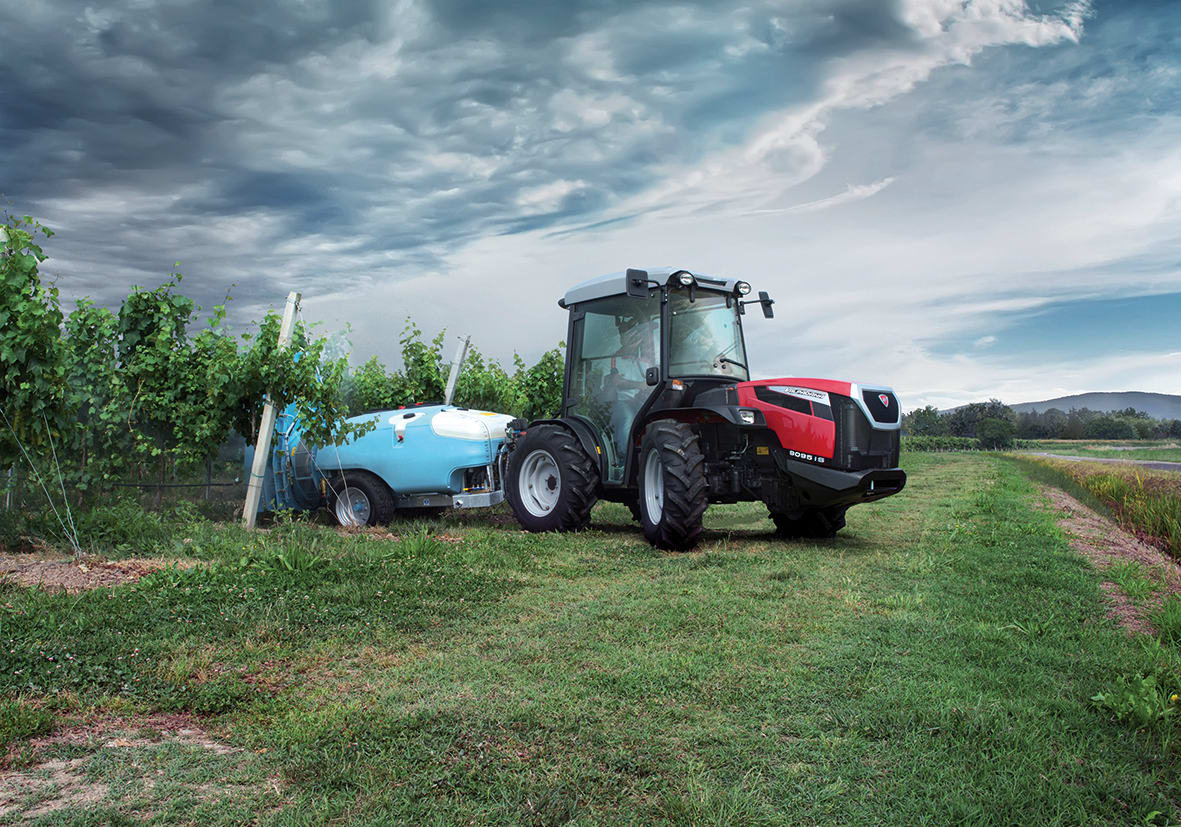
660, 413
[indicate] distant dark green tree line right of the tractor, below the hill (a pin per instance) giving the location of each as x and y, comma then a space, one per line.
999, 425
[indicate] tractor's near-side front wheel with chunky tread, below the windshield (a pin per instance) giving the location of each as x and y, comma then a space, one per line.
673, 486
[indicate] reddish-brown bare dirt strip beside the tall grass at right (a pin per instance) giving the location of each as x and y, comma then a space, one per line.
1105, 544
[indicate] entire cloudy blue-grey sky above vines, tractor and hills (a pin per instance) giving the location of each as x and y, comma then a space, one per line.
960, 199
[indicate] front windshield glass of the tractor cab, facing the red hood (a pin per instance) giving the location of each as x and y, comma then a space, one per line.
706, 338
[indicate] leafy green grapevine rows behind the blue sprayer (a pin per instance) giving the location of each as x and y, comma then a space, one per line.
148, 389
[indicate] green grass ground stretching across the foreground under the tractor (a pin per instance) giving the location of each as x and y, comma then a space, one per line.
935, 665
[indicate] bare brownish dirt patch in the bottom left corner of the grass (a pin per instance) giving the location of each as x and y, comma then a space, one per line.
55, 777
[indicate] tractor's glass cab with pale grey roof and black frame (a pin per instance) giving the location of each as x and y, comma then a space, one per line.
637, 335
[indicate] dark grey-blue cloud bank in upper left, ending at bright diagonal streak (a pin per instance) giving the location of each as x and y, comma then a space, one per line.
329, 146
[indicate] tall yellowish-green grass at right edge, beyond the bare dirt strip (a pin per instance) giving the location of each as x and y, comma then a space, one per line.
1144, 502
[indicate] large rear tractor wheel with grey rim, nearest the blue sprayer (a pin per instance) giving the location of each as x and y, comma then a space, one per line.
551, 481
